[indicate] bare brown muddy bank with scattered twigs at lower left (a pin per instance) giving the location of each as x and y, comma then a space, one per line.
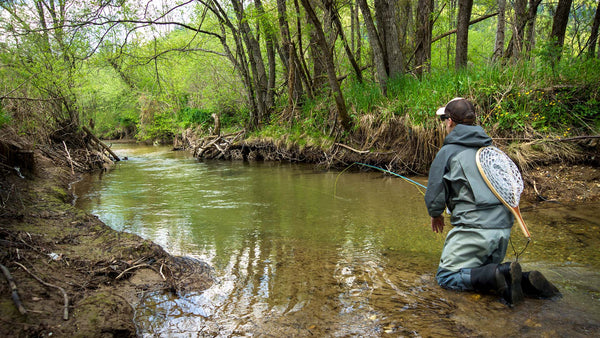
74, 275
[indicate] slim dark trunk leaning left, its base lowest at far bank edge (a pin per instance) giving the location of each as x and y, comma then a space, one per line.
330, 67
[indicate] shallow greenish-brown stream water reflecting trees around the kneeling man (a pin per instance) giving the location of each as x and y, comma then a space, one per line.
302, 252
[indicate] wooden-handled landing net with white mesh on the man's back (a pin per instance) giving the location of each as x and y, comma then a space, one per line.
504, 179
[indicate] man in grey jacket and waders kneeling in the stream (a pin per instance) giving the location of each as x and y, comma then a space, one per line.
476, 246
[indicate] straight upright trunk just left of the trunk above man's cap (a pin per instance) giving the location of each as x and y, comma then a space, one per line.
423, 36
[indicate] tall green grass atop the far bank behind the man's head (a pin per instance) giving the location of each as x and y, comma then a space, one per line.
523, 97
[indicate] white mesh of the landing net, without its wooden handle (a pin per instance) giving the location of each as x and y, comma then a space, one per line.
502, 173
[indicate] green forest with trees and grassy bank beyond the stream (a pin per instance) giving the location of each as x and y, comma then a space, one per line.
313, 73
